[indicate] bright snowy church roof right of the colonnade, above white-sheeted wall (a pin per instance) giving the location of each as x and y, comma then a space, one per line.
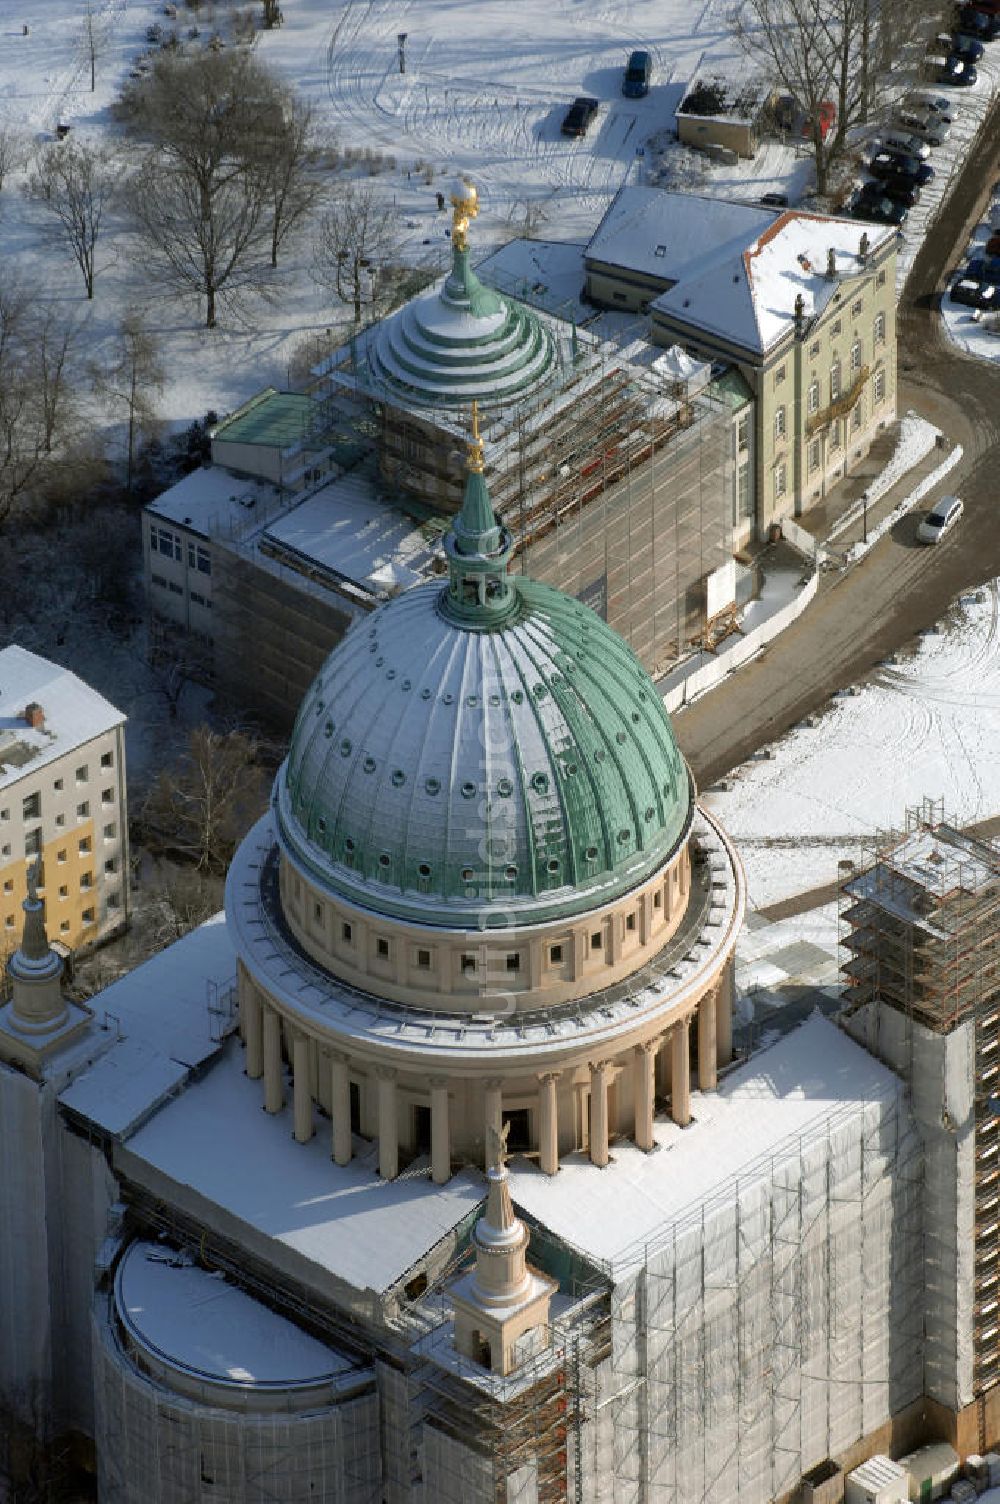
793, 1091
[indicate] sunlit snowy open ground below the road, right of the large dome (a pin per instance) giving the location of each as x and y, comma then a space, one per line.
923, 729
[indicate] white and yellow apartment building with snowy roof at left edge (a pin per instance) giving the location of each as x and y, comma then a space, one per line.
62, 804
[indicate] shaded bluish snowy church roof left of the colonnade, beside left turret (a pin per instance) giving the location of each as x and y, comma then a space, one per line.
168, 1019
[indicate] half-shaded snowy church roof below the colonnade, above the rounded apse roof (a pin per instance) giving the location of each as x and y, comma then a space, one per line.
344, 1219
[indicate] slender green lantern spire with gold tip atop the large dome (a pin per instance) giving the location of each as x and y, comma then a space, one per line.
480, 593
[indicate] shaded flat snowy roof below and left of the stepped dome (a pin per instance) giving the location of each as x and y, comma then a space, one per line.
351, 532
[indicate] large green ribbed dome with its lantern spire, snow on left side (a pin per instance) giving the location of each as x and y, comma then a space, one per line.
482, 754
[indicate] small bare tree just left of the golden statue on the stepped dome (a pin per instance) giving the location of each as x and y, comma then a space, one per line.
354, 244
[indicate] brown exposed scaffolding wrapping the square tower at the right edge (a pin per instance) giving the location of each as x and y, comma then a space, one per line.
921, 927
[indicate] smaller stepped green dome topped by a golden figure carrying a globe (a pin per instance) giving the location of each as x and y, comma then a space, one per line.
462, 342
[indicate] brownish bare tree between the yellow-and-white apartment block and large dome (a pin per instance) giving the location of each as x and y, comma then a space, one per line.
205, 805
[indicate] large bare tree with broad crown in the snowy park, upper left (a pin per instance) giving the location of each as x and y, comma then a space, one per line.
204, 196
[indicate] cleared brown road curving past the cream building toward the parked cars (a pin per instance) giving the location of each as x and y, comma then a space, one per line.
900, 589
